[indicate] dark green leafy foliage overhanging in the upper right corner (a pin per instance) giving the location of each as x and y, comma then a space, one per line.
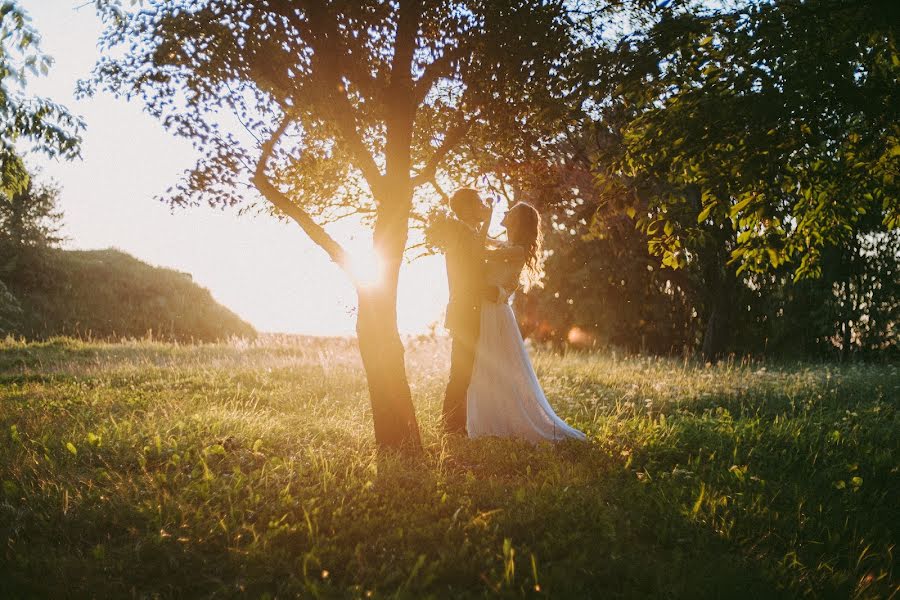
775, 120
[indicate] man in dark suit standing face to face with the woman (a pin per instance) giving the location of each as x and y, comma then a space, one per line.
462, 239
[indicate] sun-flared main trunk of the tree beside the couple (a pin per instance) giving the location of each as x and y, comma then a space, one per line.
379, 341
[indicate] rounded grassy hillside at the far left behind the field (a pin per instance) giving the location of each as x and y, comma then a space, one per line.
105, 294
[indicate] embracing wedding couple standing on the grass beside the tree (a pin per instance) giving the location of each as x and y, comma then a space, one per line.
493, 390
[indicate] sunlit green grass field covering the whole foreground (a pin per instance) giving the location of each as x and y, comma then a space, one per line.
152, 470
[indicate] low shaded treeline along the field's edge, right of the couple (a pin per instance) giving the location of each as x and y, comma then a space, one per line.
612, 293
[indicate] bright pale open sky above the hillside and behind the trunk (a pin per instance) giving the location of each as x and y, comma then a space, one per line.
266, 271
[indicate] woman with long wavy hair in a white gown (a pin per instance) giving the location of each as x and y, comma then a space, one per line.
505, 398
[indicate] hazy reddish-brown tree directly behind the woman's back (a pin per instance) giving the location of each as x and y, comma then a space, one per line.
602, 286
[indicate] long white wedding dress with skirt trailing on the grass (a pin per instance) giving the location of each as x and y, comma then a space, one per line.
505, 398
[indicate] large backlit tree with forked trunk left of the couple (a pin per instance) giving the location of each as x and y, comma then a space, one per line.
347, 108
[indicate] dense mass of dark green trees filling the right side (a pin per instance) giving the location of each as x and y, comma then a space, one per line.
753, 148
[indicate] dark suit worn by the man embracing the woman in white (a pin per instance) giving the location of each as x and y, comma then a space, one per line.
464, 249
